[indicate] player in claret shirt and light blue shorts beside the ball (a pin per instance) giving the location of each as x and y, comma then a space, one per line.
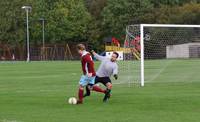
88, 77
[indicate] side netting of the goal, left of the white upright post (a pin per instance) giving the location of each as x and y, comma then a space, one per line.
129, 67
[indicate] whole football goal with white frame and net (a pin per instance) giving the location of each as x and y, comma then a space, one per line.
150, 49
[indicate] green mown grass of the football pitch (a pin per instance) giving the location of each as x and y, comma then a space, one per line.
38, 91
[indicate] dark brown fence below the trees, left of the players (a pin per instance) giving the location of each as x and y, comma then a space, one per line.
37, 53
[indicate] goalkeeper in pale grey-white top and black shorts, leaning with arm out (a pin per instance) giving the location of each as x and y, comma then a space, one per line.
107, 68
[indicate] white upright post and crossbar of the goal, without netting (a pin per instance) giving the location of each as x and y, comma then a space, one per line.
142, 26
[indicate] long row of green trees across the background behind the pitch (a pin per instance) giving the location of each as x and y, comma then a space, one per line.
88, 20
